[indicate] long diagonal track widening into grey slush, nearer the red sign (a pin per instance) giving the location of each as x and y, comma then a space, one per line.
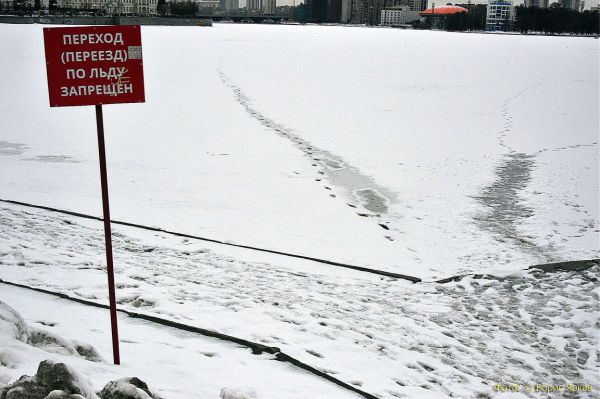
361, 190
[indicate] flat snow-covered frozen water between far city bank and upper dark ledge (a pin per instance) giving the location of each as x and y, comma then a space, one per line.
379, 147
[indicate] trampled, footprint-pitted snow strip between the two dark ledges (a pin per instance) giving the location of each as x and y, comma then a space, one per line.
419, 335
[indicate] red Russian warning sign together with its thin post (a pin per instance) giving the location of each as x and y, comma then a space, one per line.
96, 65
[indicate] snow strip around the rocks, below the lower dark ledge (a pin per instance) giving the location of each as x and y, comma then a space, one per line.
176, 364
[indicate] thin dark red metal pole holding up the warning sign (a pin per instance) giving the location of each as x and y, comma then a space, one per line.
108, 236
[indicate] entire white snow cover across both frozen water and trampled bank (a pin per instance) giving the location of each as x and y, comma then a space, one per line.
431, 154
